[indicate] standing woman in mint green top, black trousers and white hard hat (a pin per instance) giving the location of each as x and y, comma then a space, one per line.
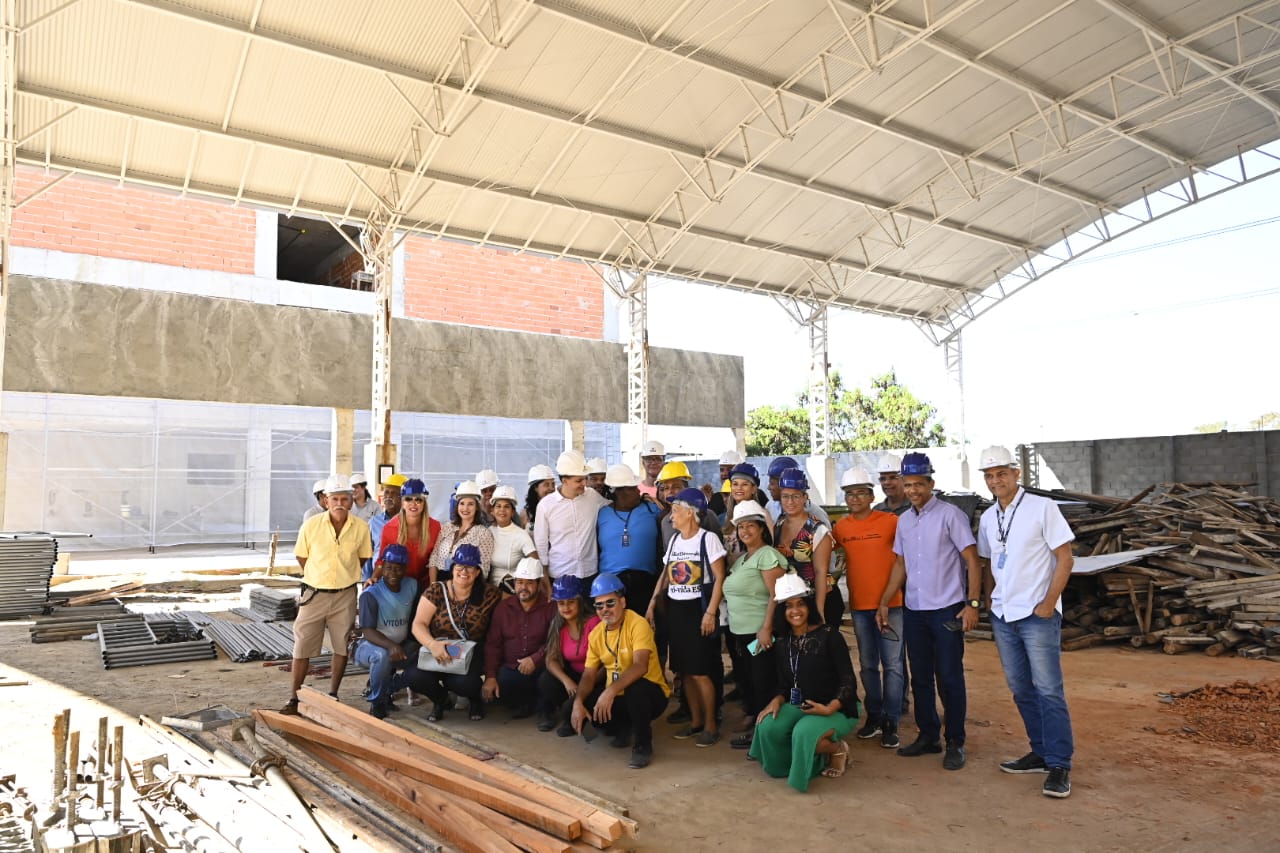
749, 595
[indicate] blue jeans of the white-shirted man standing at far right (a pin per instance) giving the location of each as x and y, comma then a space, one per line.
1031, 653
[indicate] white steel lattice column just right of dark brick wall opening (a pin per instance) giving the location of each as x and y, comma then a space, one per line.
377, 245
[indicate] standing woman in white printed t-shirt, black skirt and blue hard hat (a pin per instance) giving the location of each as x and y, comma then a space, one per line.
692, 587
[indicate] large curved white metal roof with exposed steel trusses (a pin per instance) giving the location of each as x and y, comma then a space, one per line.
916, 158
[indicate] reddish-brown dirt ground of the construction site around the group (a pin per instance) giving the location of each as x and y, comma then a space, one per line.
1141, 779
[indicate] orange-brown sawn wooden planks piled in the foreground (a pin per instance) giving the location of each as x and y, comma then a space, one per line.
469, 804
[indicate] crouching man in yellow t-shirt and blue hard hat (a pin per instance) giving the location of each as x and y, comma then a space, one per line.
623, 687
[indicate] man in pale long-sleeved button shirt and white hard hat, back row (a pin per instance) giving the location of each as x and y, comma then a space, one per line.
565, 526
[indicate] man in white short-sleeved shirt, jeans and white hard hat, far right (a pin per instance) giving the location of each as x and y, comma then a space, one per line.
1026, 546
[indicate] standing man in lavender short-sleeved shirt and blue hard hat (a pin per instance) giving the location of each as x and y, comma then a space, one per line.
938, 559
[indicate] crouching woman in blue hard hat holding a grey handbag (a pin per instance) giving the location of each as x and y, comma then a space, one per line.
451, 623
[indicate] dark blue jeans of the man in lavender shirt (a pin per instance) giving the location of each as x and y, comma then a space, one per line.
938, 658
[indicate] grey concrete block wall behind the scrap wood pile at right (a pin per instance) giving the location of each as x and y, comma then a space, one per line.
1124, 467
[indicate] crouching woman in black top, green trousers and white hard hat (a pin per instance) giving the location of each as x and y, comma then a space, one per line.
801, 732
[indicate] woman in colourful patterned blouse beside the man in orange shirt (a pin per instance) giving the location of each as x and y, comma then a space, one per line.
807, 545
